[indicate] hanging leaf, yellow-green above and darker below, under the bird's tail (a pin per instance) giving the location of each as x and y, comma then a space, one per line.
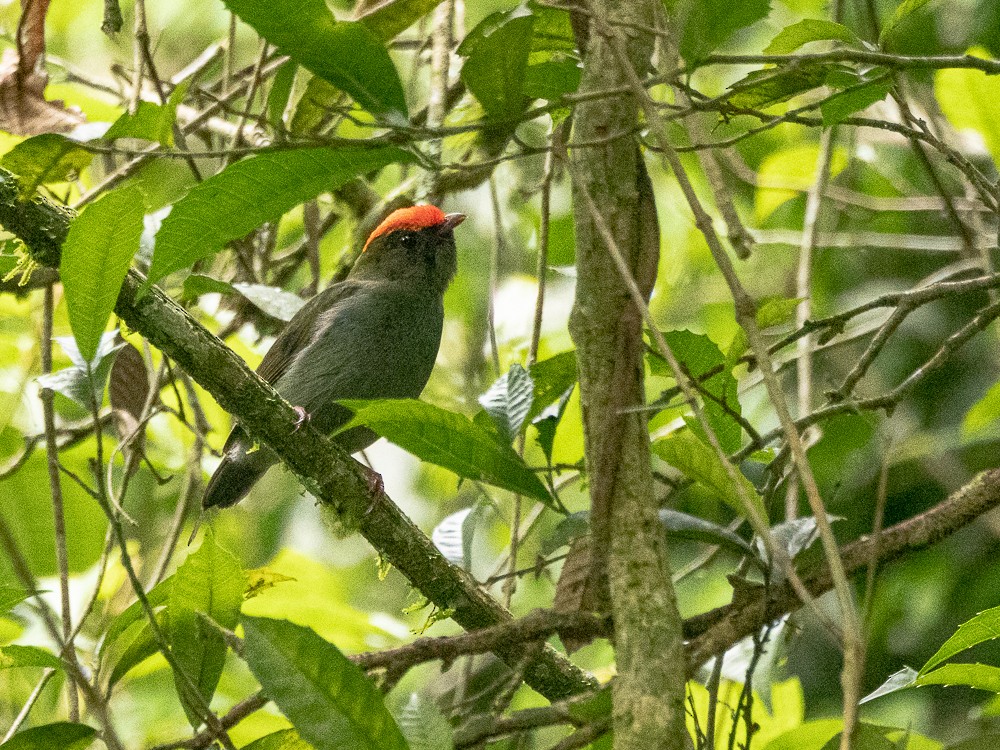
210, 582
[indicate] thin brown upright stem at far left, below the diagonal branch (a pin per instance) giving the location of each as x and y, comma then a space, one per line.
55, 486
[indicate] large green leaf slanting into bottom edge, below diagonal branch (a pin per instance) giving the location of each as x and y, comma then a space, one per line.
329, 700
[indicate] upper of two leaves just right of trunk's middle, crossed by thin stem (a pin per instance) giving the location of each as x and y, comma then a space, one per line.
698, 355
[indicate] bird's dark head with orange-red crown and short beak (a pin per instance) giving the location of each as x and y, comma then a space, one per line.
412, 244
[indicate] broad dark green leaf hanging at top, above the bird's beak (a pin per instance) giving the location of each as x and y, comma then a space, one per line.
496, 64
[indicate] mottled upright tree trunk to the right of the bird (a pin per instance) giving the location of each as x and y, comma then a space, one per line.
627, 538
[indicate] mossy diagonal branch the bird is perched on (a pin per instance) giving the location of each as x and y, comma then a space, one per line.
329, 473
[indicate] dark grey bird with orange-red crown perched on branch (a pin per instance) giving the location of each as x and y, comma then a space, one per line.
376, 334
